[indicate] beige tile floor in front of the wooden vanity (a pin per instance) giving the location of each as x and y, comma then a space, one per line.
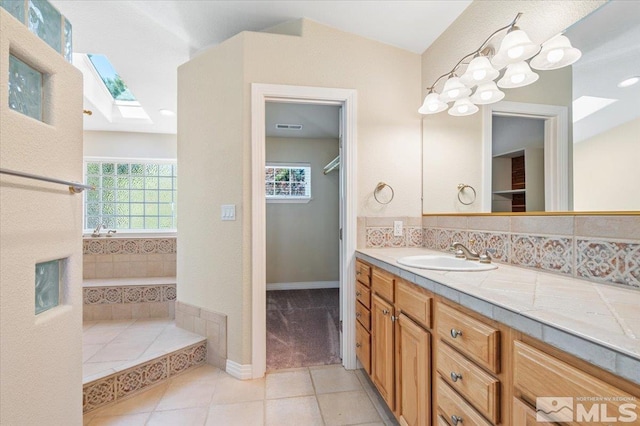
325, 395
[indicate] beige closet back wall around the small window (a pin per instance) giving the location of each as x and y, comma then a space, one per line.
302, 238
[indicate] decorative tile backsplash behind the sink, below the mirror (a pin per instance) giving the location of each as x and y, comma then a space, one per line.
587, 247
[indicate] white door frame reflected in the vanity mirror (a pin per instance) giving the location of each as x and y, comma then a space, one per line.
557, 167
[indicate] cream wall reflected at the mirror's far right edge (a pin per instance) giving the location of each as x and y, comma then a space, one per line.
606, 172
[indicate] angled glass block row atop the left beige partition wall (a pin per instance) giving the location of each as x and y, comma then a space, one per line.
45, 21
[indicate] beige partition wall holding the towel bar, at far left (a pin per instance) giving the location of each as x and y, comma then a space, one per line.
41, 367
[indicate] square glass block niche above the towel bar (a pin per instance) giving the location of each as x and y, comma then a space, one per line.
25, 88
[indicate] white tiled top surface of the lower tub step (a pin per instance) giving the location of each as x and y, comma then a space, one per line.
109, 346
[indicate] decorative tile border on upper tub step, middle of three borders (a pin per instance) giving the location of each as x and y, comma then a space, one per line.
129, 294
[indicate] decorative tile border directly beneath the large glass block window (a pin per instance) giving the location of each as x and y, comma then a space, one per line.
129, 245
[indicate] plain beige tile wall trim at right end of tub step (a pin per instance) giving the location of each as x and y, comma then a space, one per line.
209, 324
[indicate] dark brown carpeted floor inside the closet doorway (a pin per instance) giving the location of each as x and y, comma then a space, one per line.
302, 328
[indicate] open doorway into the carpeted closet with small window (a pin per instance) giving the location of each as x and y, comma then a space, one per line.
302, 190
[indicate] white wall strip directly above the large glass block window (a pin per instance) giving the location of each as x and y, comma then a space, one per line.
130, 145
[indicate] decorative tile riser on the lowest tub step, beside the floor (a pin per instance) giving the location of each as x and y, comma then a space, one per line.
120, 385
